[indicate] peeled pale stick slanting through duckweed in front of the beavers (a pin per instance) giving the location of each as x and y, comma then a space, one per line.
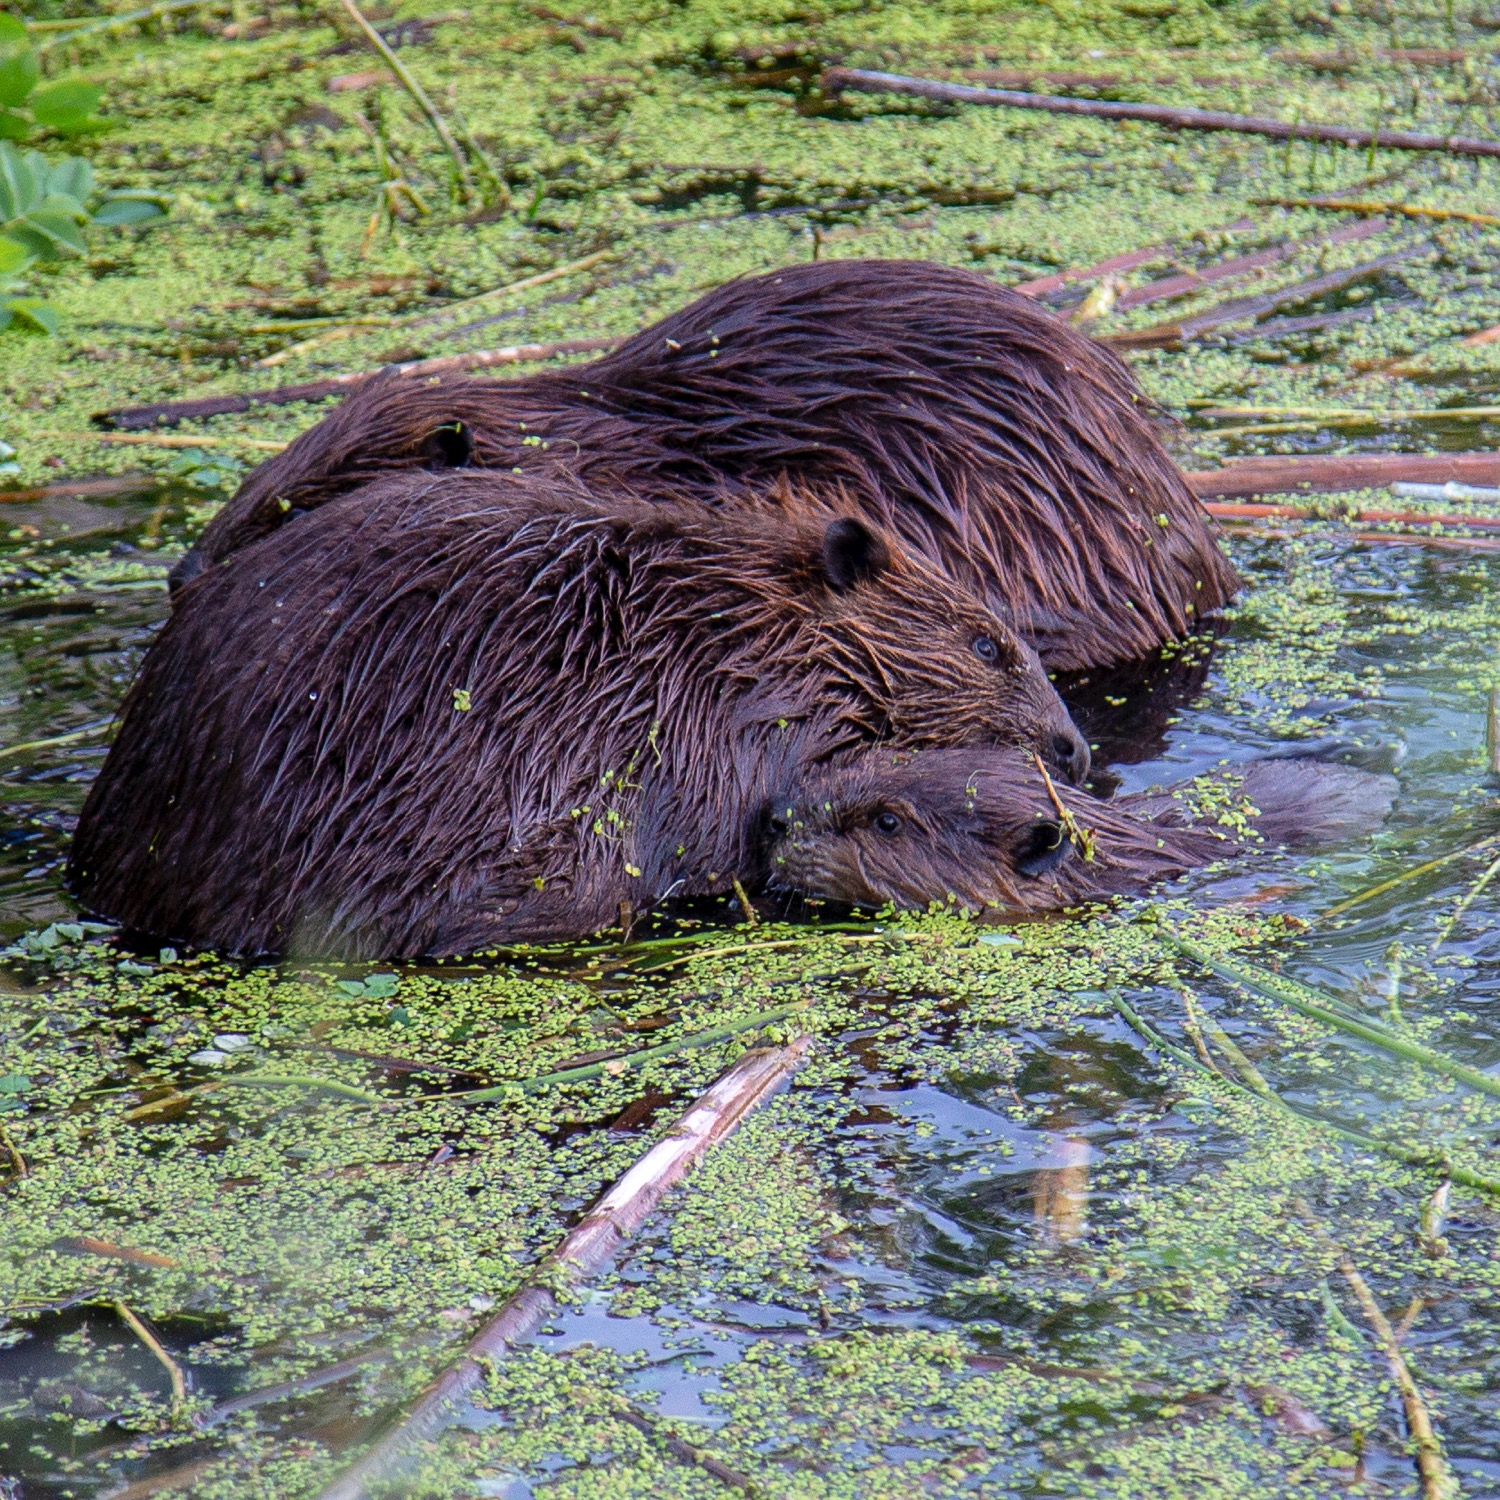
595, 1241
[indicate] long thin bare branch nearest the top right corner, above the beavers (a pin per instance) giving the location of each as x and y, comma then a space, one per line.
836, 80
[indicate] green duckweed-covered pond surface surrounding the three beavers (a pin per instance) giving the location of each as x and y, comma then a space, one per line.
1187, 1196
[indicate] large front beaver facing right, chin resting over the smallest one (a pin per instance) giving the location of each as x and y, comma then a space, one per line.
452, 712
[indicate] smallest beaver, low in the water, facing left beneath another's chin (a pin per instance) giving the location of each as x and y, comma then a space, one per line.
988, 830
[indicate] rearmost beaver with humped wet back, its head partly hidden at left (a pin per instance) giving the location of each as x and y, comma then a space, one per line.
959, 416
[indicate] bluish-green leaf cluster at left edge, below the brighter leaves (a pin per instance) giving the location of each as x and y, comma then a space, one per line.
44, 209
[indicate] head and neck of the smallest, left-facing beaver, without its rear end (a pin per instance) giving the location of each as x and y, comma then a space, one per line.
985, 830
